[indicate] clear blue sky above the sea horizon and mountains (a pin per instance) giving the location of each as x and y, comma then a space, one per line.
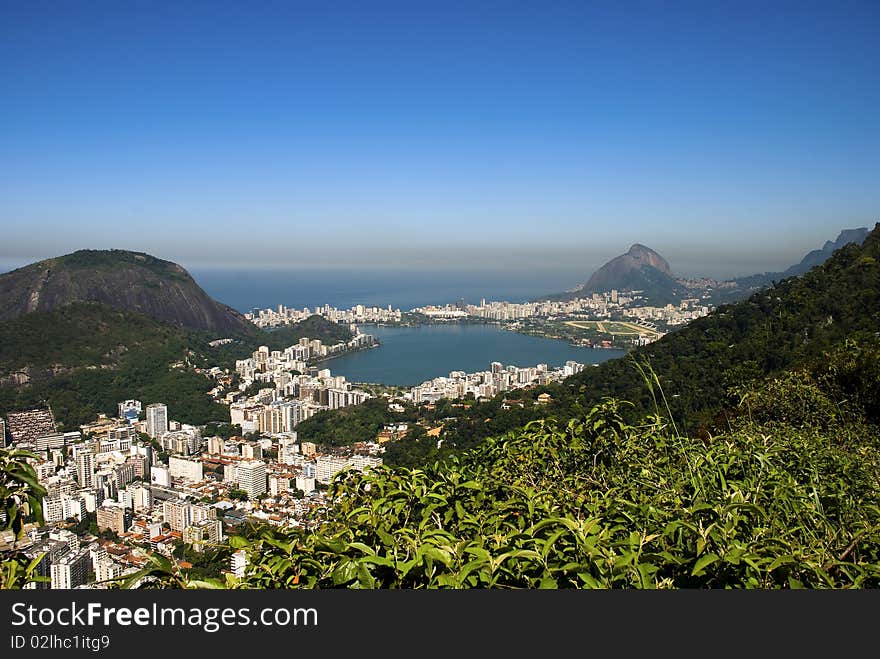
730, 136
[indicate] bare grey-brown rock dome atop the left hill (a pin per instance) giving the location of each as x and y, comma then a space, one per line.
130, 281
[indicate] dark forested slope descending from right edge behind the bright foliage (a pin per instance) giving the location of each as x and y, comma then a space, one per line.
792, 322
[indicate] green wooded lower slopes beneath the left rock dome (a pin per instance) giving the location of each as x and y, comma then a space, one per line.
85, 357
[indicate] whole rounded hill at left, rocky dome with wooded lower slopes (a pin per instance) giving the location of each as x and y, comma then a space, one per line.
86, 330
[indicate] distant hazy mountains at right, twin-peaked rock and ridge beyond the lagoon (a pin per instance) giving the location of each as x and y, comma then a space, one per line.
644, 270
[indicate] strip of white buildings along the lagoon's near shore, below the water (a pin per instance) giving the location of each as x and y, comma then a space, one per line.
487, 384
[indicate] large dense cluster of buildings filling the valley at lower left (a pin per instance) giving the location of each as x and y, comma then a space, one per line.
124, 487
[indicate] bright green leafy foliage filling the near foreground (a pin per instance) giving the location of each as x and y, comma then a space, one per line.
788, 497
